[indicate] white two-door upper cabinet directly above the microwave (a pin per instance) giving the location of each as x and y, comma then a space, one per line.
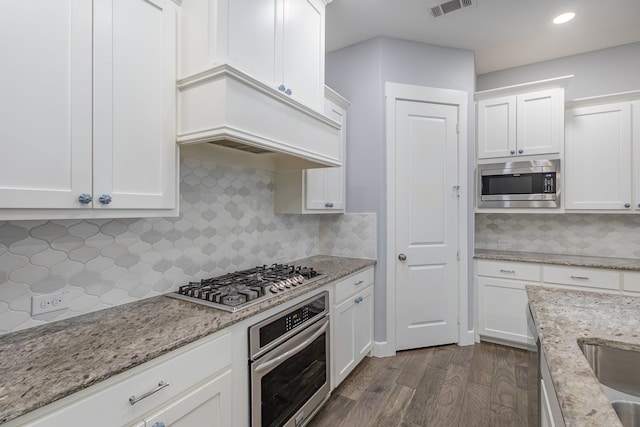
521, 121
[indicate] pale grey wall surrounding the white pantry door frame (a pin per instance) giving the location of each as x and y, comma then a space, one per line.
359, 73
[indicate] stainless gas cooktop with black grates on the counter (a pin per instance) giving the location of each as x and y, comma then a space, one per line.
242, 289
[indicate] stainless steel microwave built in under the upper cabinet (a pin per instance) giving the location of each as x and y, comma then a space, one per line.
530, 184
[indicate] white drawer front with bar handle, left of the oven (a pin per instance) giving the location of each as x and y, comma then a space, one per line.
107, 403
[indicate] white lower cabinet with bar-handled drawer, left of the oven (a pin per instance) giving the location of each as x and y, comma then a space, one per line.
188, 387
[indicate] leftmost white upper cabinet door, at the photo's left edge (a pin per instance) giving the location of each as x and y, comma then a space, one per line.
45, 82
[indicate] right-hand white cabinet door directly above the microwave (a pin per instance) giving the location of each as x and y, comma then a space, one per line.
540, 124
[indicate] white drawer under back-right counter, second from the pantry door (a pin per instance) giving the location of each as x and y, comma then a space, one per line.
580, 276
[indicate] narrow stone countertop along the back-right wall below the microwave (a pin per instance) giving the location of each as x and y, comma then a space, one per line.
559, 259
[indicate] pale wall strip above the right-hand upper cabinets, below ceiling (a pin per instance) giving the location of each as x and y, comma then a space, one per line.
595, 73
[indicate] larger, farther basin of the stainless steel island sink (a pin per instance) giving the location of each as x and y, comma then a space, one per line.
614, 367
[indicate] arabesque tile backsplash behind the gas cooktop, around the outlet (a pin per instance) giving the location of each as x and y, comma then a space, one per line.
226, 223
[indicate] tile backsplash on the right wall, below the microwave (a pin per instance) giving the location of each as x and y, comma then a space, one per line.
603, 235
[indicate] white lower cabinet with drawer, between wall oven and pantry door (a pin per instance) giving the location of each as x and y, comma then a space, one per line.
352, 323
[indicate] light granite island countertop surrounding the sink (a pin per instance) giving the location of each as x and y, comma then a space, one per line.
563, 317
